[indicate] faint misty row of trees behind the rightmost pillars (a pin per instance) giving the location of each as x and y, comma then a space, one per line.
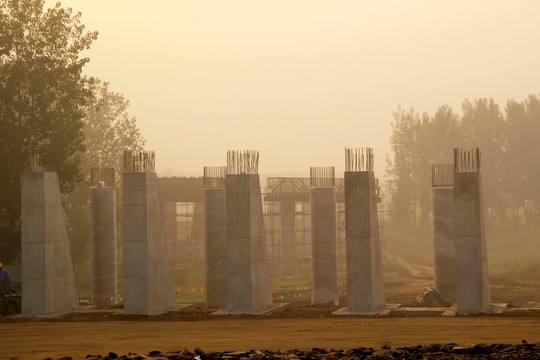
508, 140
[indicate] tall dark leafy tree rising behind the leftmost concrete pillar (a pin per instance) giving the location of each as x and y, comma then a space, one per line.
42, 101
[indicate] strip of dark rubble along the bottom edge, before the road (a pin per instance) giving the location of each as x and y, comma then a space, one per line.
434, 351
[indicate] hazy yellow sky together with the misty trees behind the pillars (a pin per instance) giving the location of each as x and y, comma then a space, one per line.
298, 82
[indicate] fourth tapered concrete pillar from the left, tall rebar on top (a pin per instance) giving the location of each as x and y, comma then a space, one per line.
365, 285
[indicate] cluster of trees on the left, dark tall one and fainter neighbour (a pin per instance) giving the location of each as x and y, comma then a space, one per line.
48, 108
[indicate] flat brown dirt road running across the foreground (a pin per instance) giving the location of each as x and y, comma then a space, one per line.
39, 340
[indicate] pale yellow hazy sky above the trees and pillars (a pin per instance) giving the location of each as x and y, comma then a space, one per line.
301, 80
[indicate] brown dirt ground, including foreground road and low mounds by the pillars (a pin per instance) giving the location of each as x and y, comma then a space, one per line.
297, 326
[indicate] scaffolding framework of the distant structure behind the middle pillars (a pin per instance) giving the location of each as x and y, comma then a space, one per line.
186, 239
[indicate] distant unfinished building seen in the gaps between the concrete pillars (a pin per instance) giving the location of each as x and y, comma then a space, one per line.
287, 219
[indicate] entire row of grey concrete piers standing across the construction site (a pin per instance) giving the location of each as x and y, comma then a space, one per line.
237, 269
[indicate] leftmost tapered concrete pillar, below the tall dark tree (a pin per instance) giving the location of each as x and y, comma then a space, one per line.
48, 282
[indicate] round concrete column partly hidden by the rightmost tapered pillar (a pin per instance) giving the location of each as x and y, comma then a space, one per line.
444, 242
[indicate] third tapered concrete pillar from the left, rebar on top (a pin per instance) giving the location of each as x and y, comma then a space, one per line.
249, 274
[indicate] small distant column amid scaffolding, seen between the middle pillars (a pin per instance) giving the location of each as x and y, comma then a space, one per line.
288, 239
